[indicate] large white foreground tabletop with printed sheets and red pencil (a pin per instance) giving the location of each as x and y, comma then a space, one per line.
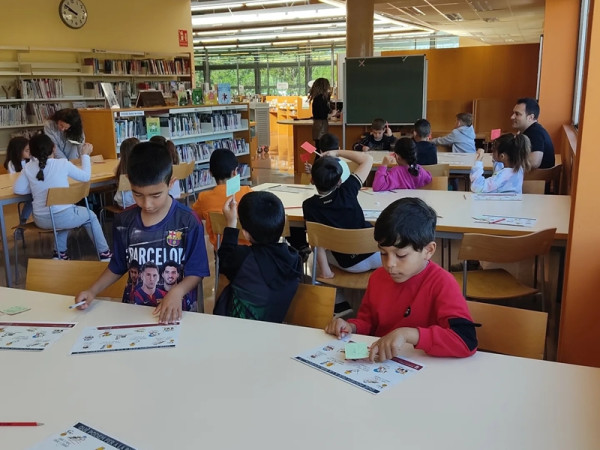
231, 383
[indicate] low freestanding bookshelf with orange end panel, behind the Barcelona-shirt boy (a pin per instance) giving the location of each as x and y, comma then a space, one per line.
195, 130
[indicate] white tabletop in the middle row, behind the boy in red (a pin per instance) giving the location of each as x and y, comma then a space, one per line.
456, 209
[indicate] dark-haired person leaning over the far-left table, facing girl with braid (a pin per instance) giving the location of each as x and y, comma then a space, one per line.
65, 130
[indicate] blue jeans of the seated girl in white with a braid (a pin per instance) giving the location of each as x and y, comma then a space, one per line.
73, 217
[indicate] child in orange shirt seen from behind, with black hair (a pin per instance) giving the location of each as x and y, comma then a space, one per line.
223, 166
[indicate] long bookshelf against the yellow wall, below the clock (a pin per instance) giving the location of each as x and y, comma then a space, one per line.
35, 82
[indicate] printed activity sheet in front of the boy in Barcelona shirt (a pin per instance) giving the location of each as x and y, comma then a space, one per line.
116, 338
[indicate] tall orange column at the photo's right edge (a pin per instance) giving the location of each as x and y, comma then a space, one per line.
579, 334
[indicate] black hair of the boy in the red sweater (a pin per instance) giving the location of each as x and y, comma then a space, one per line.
408, 221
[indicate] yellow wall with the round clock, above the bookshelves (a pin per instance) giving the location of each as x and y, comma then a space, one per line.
134, 25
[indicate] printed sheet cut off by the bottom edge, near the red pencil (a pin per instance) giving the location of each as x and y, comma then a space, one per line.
81, 437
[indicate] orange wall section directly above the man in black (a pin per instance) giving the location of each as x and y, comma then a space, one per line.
561, 25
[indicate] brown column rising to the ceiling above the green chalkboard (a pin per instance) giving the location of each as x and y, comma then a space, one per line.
359, 27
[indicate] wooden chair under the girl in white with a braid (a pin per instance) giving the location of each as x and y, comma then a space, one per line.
57, 196
